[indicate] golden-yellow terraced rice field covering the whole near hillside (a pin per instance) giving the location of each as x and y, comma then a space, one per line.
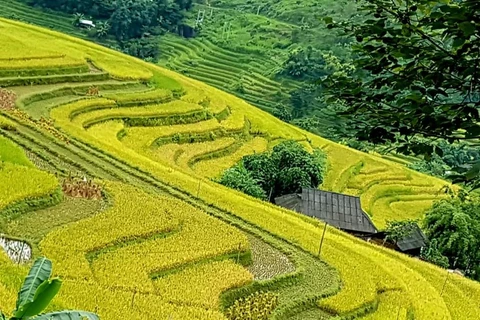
165, 217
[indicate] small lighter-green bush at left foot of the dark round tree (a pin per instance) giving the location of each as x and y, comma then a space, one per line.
239, 178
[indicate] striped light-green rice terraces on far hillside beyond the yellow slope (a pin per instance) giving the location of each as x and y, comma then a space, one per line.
225, 69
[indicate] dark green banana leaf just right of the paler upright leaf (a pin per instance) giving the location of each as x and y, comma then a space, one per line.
43, 296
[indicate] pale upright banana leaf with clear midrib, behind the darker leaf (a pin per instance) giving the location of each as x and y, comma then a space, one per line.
39, 273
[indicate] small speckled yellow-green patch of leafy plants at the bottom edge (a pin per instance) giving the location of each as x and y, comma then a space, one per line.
257, 306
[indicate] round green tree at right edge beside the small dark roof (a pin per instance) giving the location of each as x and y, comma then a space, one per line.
455, 226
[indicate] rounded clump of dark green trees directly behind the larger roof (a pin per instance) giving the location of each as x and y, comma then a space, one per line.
287, 169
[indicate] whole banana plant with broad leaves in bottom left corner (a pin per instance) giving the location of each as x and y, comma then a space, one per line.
37, 291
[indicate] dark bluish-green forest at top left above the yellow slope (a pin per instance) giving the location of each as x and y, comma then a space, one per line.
132, 23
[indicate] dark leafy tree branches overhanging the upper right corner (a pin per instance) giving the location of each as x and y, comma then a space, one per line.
416, 72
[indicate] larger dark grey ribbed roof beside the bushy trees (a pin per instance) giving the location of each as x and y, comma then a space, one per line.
339, 210
